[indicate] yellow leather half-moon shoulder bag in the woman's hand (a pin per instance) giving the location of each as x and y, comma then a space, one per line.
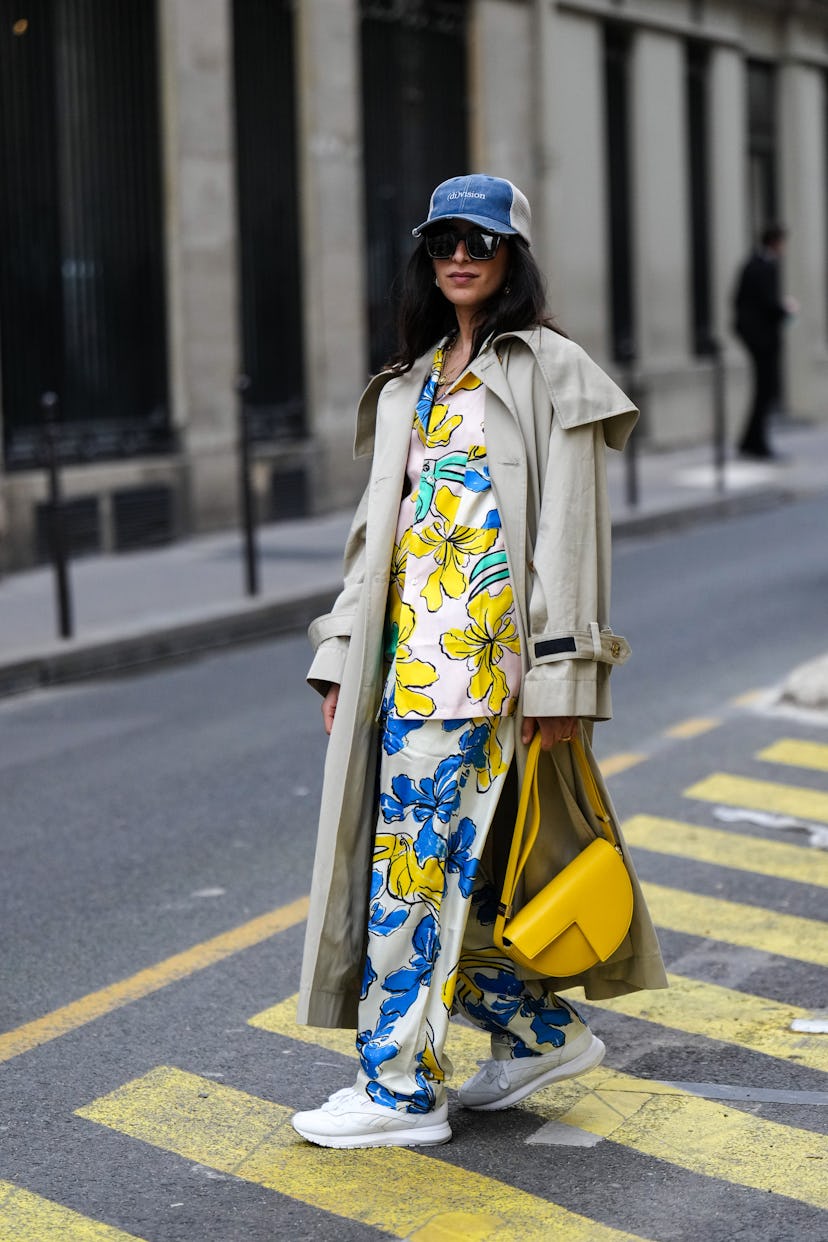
579, 918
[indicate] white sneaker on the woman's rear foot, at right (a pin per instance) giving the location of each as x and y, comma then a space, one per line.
502, 1084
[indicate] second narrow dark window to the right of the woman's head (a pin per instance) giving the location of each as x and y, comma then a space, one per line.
698, 60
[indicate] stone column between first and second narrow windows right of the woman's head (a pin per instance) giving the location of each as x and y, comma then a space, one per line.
660, 137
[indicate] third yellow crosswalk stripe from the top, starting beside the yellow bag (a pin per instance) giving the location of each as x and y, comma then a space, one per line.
734, 850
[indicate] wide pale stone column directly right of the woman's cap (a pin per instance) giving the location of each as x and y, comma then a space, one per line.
559, 160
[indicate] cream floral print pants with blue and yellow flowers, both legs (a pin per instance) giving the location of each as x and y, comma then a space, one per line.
430, 947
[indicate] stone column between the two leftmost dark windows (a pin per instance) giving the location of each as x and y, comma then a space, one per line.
202, 254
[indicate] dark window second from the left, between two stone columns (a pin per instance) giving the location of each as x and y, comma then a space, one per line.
270, 252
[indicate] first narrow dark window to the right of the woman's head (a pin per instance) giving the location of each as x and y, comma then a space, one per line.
623, 326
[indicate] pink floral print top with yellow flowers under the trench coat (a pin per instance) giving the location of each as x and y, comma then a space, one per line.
452, 643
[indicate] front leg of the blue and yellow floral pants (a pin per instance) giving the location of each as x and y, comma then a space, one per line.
431, 830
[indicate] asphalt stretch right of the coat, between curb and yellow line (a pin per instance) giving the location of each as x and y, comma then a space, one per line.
717, 612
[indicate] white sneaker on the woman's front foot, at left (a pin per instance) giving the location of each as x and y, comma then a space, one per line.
351, 1120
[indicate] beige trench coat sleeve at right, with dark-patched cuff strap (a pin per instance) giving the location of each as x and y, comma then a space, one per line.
572, 648
